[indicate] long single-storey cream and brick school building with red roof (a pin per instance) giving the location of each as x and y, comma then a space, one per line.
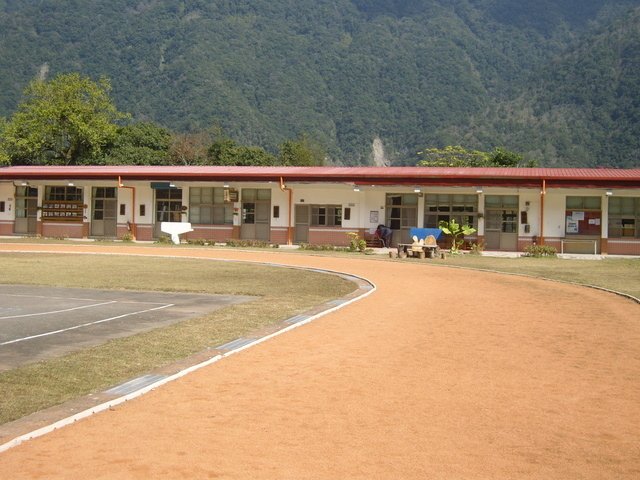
575, 210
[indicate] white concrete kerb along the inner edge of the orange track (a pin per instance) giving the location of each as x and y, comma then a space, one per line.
365, 288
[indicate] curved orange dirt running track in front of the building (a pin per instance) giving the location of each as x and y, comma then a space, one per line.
467, 375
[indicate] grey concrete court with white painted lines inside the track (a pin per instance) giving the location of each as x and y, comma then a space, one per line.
42, 322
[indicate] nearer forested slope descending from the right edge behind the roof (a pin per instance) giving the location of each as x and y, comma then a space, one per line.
583, 109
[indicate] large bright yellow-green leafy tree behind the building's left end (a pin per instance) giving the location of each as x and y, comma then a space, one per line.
68, 120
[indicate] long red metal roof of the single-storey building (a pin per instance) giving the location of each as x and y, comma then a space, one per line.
557, 177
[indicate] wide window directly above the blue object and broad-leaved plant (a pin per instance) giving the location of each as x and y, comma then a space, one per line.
444, 207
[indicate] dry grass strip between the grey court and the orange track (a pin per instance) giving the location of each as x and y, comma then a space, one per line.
282, 293
